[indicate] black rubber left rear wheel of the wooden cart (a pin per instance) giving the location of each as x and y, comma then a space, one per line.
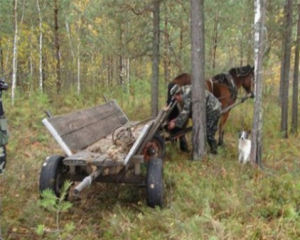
53, 174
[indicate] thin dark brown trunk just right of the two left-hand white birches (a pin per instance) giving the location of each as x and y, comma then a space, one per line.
56, 44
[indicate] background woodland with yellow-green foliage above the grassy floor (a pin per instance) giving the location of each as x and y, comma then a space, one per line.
82, 44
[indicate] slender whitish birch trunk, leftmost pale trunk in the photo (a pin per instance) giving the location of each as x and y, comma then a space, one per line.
15, 48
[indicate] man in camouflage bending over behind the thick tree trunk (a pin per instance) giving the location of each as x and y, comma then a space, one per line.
213, 112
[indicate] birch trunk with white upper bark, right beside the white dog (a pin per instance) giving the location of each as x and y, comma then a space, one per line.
259, 24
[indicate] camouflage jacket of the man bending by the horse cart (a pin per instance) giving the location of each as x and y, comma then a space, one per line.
212, 104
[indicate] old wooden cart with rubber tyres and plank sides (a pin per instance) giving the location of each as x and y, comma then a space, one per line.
101, 144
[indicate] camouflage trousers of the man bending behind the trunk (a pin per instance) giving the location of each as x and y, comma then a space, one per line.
212, 120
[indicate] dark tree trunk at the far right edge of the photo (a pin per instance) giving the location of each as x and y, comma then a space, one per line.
294, 124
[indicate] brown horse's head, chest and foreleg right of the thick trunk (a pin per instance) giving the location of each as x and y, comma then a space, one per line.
225, 87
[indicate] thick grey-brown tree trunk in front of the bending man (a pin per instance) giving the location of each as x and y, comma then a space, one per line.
198, 80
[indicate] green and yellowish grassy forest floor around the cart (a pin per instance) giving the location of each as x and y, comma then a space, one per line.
214, 199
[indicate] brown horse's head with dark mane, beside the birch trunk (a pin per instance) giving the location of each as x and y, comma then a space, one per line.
244, 76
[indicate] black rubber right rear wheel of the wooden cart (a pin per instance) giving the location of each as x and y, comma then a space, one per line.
155, 183
